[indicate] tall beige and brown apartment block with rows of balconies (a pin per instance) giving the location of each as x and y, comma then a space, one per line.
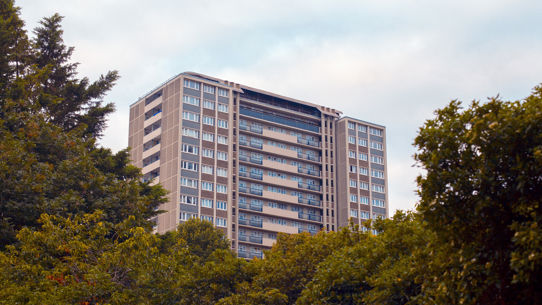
256, 163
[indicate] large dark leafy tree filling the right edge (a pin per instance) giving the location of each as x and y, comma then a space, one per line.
481, 195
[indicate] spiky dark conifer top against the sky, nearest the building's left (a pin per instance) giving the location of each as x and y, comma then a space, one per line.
67, 101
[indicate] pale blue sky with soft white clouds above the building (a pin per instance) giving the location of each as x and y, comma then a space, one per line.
390, 62
